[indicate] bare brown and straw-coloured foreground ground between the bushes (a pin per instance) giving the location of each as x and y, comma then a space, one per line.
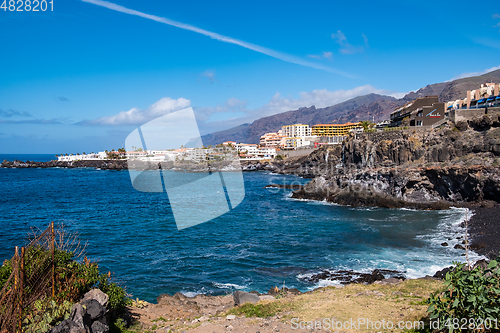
390, 300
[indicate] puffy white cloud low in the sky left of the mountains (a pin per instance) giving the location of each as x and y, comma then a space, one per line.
136, 116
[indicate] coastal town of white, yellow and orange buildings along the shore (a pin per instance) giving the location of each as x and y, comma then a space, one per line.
300, 139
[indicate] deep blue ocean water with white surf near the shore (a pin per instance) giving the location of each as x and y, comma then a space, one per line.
268, 240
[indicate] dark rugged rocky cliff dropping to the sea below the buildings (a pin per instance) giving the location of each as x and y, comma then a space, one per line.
413, 168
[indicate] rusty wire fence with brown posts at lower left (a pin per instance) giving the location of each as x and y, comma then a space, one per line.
31, 283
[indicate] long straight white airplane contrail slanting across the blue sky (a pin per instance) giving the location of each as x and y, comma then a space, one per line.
222, 38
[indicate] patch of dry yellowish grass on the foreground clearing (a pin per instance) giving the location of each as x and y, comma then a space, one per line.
402, 302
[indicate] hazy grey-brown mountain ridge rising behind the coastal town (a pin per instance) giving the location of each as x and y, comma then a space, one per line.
368, 107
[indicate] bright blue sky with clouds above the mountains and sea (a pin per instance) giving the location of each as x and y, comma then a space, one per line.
82, 77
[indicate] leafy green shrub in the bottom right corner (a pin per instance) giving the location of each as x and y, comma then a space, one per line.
469, 296
